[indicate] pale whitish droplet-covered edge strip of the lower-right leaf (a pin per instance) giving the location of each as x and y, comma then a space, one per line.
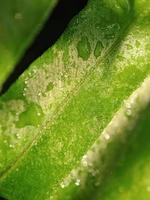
93, 163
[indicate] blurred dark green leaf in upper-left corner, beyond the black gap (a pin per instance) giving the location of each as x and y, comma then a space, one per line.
19, 22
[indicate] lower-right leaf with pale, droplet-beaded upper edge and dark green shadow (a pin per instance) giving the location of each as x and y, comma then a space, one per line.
117, 165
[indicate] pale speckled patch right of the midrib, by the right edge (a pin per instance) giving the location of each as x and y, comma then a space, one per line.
133, 51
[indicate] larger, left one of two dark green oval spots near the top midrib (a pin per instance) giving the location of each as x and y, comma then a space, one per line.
84, 48
